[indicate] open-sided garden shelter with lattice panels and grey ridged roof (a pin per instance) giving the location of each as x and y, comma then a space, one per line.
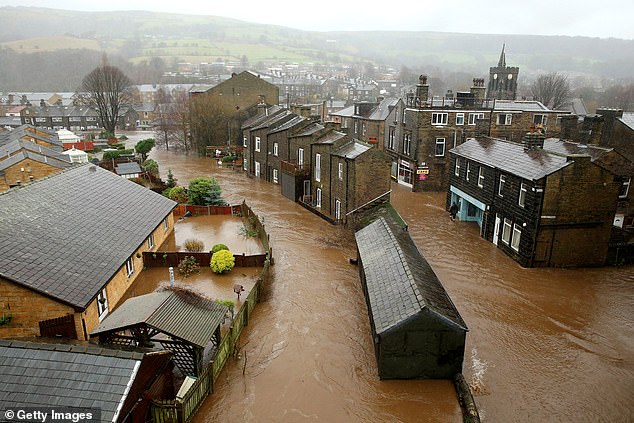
179, 321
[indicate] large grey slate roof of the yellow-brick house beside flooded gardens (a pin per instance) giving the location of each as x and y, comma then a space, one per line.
68, 234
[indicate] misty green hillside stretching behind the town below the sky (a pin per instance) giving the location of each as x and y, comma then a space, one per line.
33, 36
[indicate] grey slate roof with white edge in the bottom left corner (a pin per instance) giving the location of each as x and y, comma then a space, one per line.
34, 374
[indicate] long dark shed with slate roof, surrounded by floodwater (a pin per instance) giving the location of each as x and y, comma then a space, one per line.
417, 331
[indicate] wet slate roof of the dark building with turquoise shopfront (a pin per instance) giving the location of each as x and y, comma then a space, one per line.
511, 157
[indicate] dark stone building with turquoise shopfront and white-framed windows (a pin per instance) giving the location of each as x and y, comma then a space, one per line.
543, 208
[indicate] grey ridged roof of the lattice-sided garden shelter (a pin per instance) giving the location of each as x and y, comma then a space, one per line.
179, 314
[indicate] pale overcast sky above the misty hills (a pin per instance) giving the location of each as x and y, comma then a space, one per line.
606, 18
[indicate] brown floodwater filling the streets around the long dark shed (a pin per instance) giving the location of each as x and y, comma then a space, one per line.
544, 344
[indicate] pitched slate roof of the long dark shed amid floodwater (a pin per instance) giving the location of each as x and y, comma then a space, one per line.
399, 281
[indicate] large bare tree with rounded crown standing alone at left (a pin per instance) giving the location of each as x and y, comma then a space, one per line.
110, 91
